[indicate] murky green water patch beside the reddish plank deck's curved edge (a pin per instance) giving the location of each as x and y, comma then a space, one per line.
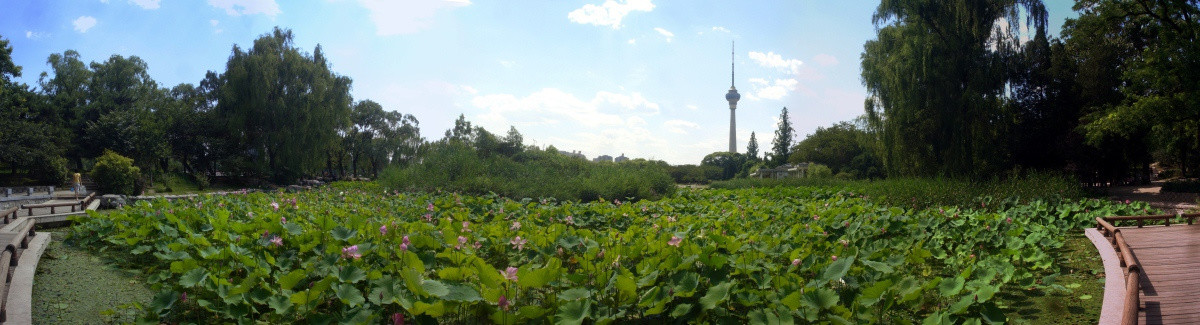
1075, 293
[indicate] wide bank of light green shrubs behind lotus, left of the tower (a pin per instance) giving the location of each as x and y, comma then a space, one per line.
453, 166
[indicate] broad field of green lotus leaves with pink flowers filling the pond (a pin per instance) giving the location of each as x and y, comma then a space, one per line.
357, 254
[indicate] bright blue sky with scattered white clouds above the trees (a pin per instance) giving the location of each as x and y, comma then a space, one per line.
641, 79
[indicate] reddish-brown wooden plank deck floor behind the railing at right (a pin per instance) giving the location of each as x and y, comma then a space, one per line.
1171, 279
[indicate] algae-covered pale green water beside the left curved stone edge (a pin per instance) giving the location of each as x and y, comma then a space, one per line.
77, 286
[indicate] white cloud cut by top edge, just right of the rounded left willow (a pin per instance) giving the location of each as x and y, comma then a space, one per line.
393, 17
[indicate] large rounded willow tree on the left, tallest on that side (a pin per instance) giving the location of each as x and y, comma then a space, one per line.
281, 107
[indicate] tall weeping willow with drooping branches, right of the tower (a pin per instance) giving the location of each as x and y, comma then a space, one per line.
937, 81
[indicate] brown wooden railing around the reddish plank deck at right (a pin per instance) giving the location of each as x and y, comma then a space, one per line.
1129, 261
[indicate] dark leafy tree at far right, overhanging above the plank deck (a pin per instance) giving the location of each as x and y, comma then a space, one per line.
1155, 50
